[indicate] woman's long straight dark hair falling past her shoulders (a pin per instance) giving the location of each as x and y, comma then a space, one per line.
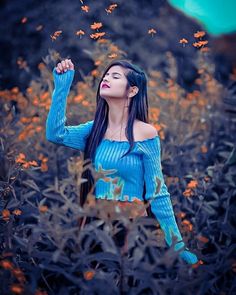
138, 109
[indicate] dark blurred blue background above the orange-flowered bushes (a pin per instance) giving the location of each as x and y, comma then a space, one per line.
126, 26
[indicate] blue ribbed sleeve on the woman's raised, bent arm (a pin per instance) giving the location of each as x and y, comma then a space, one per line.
56, 131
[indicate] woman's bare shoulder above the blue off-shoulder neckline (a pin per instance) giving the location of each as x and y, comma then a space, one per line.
144, 130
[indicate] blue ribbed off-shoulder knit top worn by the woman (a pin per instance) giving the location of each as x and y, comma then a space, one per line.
124, 178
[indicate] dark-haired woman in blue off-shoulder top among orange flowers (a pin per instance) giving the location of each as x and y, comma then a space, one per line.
119, 142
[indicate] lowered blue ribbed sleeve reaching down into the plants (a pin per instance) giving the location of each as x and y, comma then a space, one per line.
160, 202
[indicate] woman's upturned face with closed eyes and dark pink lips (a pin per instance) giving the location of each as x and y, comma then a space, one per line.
114, 83
